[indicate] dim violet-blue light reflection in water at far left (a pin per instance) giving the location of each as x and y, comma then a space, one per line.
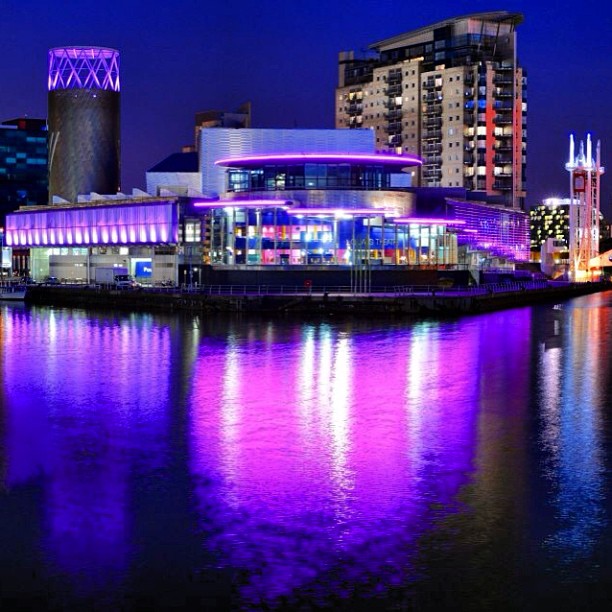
68, 427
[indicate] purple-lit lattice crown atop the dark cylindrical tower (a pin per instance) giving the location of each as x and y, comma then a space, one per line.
83, 68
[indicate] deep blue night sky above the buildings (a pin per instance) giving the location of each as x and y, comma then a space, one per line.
182, 56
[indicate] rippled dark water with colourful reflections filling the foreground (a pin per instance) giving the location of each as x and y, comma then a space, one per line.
159, 462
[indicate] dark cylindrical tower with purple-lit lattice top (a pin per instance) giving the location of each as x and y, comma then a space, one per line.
83, 117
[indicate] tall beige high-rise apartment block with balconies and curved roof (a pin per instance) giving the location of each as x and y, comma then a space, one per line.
453, 93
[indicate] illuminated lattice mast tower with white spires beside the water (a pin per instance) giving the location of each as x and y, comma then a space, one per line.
585, 173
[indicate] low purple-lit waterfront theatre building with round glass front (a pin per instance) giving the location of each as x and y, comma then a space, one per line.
304, 206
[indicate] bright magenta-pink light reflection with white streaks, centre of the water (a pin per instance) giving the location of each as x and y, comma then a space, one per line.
293, 432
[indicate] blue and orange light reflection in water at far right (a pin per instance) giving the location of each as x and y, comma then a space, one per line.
572, 405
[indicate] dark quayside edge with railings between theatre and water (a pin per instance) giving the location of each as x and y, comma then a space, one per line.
400, 300
